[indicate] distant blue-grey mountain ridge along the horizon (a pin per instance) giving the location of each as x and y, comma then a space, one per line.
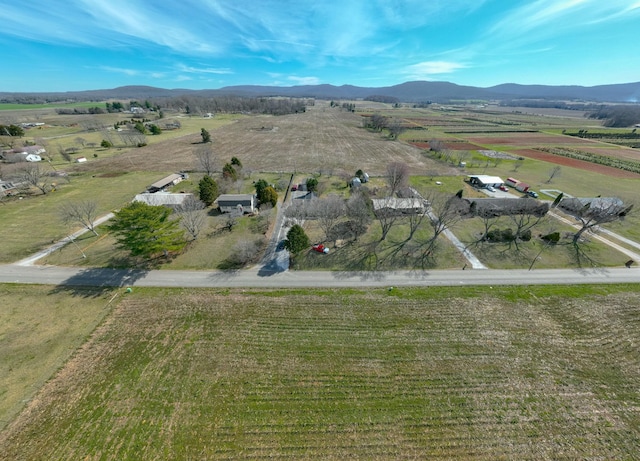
412, 92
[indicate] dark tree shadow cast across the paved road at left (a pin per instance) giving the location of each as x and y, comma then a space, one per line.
95, 282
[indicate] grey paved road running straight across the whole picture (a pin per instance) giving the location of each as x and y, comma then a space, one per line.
53, 275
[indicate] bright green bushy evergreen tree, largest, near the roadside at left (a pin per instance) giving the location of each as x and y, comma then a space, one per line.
146, 230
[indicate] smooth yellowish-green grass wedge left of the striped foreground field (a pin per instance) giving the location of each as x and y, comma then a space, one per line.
40, 329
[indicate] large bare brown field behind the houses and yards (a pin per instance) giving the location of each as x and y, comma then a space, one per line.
322, 139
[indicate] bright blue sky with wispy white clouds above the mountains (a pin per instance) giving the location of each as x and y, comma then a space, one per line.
66, 45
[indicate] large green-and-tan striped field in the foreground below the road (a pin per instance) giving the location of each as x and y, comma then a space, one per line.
465, 373
